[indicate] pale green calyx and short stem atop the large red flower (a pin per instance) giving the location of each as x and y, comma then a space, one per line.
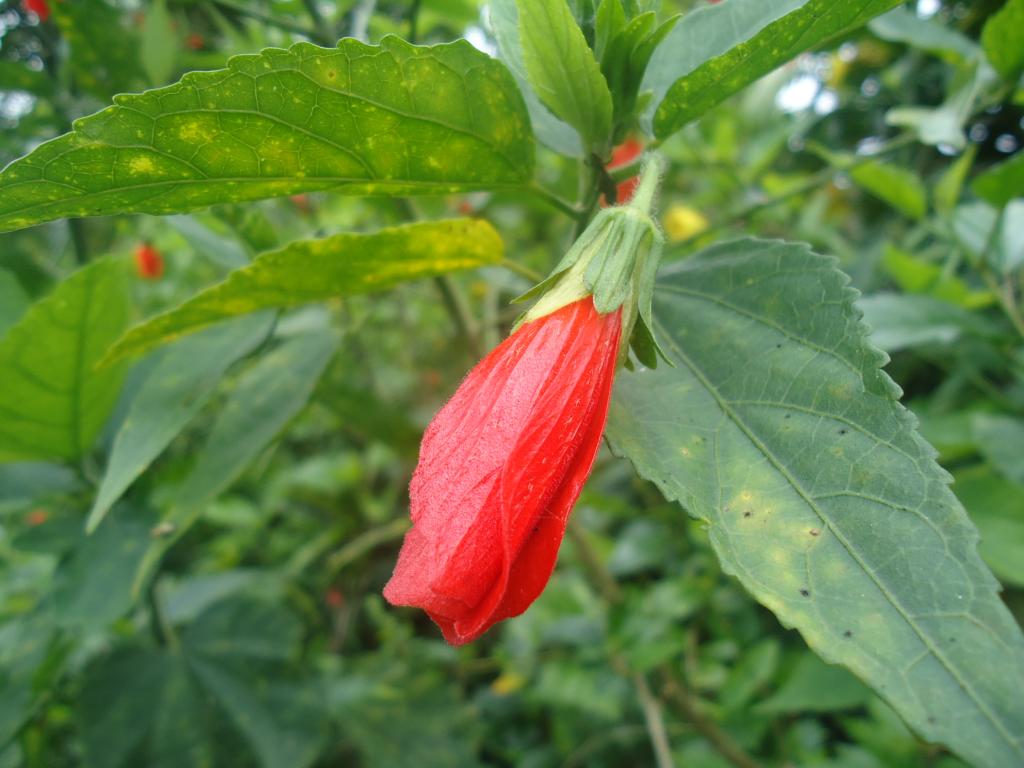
616, 262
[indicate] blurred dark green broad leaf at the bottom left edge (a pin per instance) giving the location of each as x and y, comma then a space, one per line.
179, 707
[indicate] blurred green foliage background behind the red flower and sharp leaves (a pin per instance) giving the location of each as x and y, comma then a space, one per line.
229, 613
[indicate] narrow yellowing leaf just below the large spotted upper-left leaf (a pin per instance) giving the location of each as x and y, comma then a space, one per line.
312, 271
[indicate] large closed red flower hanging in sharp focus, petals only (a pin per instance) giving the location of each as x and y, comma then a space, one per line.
500, 468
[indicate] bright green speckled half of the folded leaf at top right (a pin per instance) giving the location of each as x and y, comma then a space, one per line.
816, 23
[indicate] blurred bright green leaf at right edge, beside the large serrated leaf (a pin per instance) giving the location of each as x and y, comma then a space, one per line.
997, 506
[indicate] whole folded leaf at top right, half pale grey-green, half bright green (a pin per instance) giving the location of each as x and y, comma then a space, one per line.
714, 53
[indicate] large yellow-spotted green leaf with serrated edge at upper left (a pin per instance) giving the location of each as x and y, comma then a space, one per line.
392, 119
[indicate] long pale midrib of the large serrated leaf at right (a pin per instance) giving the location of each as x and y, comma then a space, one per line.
827, 521
